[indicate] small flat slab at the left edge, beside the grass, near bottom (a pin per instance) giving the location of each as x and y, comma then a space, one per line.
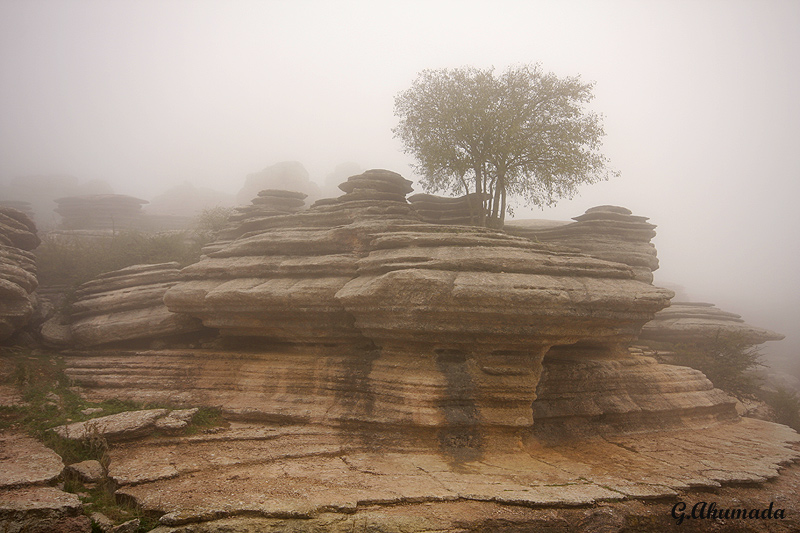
26, 461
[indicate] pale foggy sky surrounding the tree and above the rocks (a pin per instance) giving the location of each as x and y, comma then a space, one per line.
700, 99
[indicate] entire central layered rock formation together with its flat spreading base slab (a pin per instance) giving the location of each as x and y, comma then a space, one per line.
370, 362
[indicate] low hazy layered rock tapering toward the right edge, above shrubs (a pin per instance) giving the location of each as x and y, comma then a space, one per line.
702, 323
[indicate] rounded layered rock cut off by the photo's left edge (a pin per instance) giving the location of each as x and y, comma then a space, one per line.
17, 270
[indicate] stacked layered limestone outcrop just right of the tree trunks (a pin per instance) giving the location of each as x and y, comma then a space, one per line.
607, 232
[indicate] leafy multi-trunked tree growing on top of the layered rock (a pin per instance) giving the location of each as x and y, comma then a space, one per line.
523, 133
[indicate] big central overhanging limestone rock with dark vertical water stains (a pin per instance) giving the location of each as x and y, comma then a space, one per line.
444, 326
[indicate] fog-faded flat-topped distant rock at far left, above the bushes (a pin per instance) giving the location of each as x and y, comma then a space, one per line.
100, 212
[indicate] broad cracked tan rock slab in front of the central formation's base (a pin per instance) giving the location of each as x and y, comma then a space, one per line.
302, 474
